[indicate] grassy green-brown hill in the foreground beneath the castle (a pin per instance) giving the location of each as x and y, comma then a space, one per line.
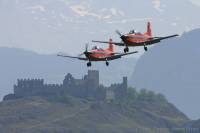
69, 114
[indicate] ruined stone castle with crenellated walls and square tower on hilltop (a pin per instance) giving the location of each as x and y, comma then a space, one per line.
88, 87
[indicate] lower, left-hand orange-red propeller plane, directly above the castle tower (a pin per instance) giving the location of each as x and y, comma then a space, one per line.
99, 54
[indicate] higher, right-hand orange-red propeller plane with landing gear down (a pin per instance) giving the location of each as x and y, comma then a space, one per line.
133, 39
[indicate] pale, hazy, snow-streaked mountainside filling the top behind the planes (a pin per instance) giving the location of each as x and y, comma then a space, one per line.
56, 25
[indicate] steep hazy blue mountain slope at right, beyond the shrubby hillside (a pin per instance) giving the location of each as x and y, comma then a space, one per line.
172, 68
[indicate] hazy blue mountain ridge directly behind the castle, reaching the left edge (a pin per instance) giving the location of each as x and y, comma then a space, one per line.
19, 63
